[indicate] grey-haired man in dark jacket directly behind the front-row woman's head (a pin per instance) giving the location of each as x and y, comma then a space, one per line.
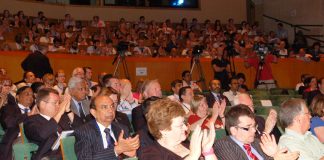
150, 88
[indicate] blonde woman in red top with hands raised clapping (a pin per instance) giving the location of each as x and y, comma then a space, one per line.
200, 109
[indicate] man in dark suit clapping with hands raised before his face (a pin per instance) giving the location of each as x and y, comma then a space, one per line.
44, 128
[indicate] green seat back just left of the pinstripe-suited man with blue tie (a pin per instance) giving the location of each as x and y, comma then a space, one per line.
67, 148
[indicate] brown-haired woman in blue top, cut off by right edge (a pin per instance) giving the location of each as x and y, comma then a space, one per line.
317, 122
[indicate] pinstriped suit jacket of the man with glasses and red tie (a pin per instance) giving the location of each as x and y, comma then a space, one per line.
227, 149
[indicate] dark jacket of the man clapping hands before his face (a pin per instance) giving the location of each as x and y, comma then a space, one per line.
44, 133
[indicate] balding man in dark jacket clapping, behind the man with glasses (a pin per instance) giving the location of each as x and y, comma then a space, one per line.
268, 125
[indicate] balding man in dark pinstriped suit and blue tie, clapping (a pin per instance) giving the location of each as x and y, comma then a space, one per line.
103, 138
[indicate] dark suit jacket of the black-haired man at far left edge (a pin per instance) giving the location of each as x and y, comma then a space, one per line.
10, 119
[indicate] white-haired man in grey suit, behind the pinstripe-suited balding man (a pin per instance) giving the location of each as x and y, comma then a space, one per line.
80, 105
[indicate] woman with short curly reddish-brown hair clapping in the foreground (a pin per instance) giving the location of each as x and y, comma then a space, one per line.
165, 120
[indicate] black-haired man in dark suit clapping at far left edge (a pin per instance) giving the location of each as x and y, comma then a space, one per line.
12, 115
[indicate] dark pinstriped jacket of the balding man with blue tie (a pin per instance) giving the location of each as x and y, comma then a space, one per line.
89, 143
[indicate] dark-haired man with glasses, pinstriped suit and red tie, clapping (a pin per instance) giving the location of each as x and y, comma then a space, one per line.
241, 144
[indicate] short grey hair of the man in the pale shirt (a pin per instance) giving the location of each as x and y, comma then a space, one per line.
289, 110
